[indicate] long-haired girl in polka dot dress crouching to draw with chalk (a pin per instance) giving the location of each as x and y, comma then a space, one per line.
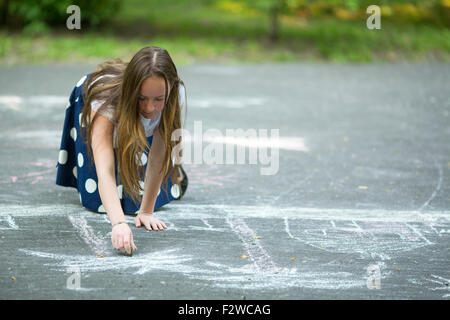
116, 144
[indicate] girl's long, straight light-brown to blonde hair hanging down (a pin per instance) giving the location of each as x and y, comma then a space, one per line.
121, 88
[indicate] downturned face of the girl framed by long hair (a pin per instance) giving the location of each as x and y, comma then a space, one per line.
151, 97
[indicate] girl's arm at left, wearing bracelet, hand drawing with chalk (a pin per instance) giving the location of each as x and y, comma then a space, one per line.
102, 148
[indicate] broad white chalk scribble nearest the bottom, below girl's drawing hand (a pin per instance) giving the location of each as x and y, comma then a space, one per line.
219, 275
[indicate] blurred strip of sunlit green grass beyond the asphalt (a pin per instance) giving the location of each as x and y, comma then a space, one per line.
192, 32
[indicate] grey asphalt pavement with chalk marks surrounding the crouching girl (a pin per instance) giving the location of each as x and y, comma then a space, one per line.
354, 202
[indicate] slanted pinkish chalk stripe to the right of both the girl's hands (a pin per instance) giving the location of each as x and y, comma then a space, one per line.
260, 258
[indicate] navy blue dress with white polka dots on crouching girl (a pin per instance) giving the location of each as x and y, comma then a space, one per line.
75, 169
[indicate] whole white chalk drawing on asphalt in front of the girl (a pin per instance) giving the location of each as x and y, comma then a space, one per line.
340, 233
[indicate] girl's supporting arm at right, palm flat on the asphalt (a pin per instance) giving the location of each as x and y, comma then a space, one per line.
153, 180
